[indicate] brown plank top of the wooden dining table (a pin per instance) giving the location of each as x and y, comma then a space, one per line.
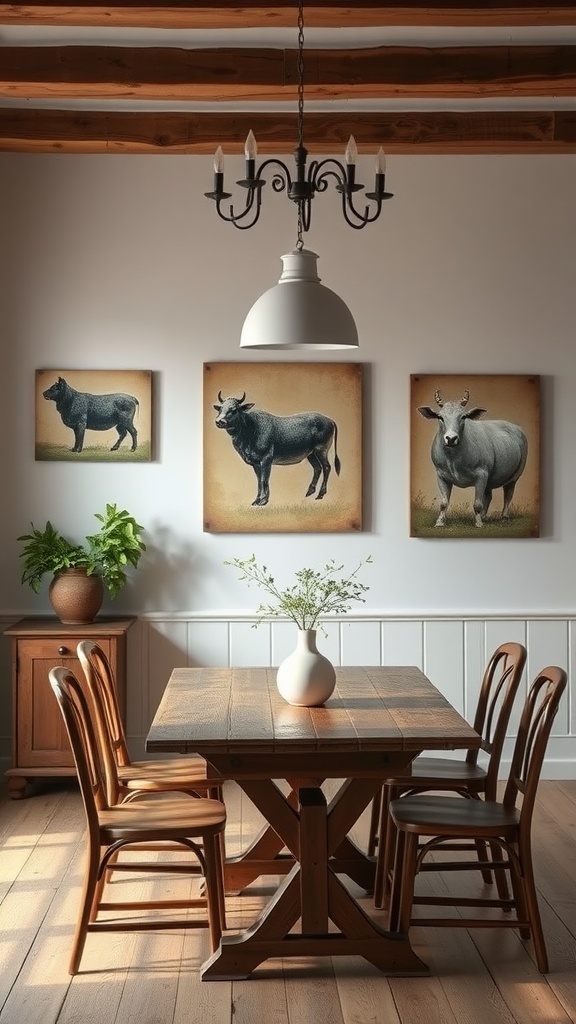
240, 711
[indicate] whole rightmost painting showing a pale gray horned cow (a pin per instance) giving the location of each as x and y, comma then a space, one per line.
475, 456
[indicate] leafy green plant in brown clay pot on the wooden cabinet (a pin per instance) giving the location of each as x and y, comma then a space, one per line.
83, 571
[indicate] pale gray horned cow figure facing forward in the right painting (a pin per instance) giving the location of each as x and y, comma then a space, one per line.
471, 454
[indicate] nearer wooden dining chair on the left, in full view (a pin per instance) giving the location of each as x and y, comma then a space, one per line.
177, 822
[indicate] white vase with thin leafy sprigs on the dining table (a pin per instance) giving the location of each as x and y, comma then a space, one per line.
306, 678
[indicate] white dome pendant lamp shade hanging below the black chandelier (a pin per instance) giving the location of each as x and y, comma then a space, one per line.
300, 312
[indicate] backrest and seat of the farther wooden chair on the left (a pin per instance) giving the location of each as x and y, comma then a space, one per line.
169, 776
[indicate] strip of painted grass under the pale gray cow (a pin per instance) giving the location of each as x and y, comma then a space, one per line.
461, 523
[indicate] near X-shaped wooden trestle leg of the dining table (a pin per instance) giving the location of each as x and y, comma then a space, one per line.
313, 892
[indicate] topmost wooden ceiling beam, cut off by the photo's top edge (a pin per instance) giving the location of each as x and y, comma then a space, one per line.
325, 14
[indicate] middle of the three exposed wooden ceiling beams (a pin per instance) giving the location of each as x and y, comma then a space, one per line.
174, 74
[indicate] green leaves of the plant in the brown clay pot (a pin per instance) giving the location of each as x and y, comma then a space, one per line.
108, 553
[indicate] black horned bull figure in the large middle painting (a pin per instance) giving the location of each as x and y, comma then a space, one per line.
263, 441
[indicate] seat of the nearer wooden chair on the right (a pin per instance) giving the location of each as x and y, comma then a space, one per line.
454, 818
